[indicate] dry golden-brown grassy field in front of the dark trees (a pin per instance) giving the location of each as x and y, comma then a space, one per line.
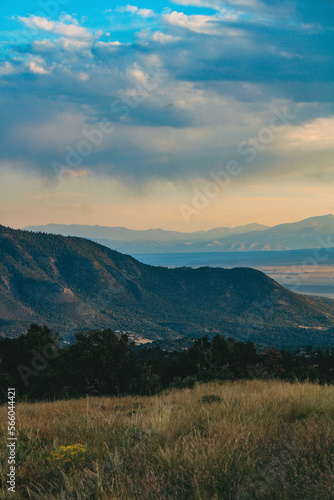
234, 440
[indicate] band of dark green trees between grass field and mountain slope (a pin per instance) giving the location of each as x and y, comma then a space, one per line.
42, 367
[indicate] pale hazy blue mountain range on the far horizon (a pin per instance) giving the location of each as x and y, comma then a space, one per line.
309, 233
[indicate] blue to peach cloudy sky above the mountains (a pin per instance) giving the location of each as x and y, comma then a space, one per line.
185, 115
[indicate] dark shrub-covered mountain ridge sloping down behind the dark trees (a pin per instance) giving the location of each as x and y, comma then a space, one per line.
72, 283
